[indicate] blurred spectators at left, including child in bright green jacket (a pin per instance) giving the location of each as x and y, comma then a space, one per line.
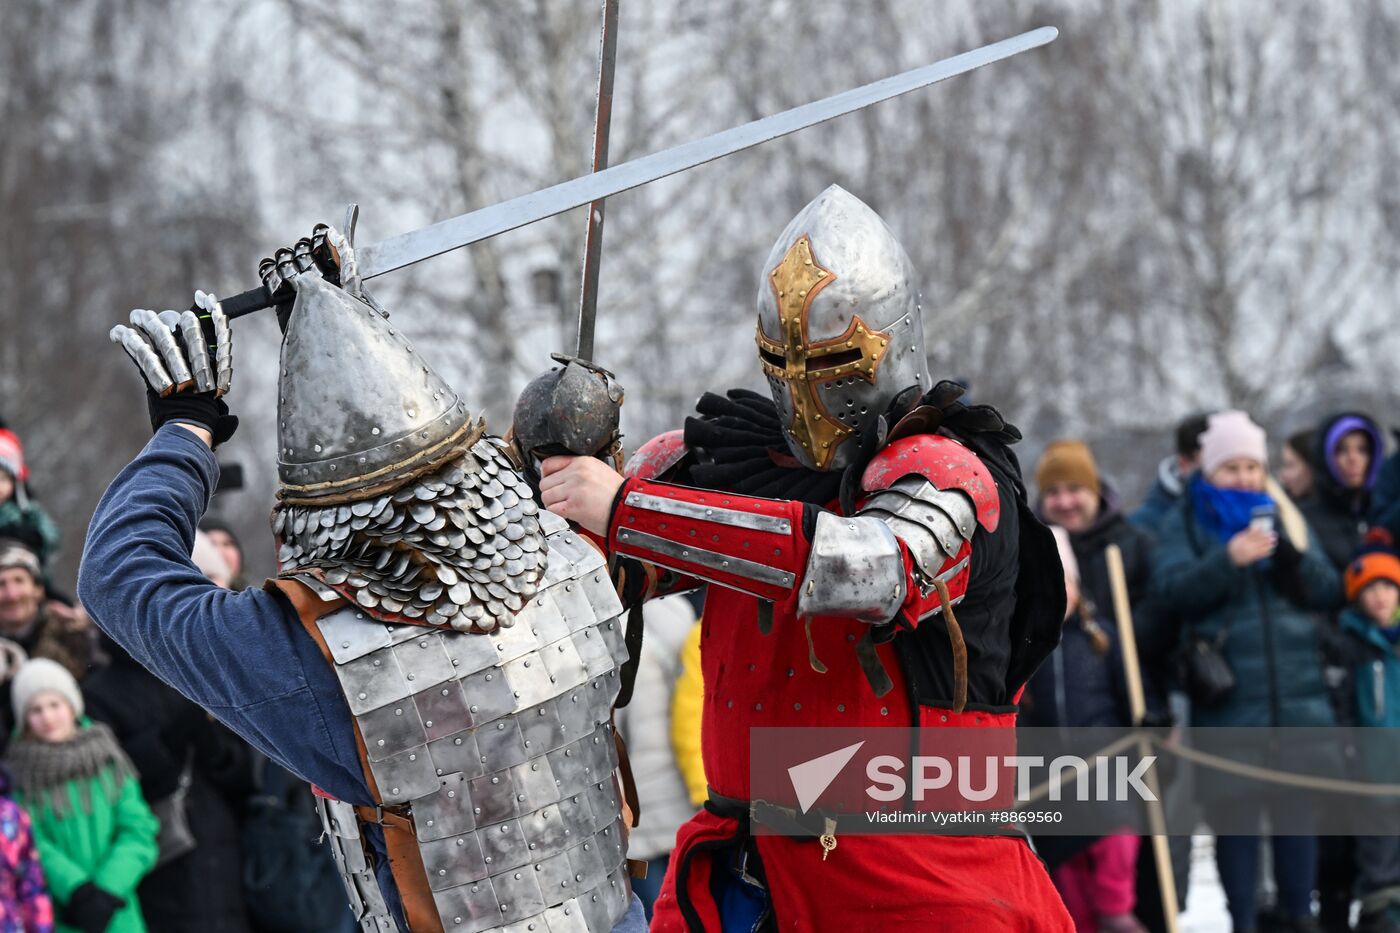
125, 808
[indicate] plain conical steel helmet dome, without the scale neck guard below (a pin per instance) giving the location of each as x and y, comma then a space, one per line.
358, 411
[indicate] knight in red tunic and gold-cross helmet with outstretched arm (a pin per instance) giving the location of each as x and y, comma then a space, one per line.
871, 561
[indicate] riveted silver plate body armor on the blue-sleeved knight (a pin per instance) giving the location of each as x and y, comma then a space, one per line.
500, 746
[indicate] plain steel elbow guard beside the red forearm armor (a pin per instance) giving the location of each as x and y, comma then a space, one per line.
855, 569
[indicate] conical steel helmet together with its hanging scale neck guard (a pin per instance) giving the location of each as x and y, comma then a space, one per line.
390, 494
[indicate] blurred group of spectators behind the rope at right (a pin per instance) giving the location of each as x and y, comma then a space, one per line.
1263, 589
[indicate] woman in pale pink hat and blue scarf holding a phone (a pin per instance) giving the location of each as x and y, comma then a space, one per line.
1237, 583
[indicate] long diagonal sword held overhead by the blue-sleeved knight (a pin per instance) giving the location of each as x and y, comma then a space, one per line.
475, 226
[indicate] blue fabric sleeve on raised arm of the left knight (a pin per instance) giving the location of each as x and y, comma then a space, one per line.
243, 656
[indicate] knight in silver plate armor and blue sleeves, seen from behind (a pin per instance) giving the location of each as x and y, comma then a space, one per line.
437, 655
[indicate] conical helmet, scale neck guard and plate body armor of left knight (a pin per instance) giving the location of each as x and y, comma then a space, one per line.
477, 638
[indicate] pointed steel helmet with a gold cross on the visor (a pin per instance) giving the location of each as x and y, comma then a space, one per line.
841, 333
